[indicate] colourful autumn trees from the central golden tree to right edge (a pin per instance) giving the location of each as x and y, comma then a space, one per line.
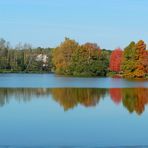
89, 59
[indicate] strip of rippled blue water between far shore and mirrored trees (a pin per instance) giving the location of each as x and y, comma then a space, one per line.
52, 81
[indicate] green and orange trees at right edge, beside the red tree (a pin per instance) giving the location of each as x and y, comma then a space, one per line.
135, 60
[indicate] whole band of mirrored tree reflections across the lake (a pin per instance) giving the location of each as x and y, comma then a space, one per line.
133, 99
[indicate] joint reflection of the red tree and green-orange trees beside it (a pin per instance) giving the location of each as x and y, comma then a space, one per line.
134, 99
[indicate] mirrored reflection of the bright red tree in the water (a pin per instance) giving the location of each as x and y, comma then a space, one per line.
116, 94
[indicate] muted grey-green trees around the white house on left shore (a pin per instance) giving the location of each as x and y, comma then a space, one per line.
24, 58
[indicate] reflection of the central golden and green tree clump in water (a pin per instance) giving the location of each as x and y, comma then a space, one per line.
71, 97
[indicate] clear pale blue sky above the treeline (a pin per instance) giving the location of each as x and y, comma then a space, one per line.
109, 23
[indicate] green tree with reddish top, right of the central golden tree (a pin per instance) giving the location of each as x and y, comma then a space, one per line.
86, 60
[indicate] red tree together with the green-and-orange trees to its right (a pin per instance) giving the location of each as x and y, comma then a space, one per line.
132, 62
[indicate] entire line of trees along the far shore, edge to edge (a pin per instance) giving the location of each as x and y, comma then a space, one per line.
71, 58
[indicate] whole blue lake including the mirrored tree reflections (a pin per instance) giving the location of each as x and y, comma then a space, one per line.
44, 110
